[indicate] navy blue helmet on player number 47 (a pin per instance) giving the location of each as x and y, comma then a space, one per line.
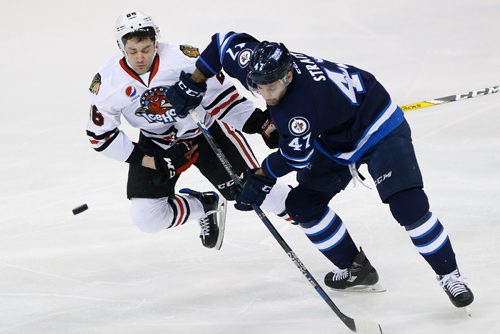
269, 62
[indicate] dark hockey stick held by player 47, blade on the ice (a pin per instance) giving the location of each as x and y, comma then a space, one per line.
361, 326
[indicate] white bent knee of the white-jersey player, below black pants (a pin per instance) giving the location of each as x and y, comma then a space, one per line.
150, 215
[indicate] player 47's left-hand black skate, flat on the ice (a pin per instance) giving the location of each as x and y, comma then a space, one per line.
361, 276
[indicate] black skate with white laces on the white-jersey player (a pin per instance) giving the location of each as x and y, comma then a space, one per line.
213, 222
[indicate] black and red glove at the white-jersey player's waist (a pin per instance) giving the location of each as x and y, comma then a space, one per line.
175, 160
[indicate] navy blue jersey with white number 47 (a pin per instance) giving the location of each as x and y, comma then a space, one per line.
336, 109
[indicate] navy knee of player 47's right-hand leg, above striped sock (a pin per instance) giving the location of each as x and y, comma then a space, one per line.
409, 205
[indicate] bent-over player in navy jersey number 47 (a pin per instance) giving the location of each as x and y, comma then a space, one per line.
331, 118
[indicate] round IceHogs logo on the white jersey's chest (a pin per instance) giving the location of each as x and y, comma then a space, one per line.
155, 106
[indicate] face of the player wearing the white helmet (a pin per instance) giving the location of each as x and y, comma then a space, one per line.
140, 54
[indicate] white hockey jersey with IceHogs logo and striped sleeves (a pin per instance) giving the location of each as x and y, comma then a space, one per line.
117, 91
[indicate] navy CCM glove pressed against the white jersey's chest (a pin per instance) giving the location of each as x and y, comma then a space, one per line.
186, 94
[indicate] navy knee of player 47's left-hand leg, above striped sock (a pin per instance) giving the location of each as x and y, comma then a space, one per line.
304, 205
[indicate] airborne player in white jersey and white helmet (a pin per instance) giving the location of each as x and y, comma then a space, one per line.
133, 85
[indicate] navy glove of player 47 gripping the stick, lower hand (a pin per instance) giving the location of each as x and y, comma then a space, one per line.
254, 191
